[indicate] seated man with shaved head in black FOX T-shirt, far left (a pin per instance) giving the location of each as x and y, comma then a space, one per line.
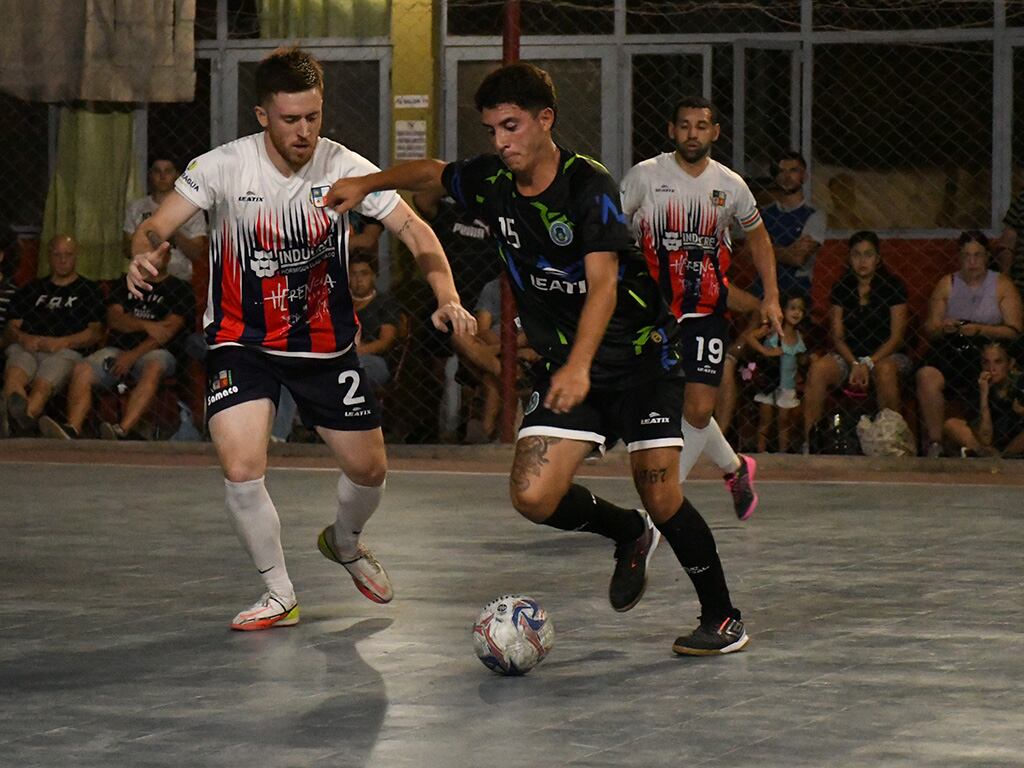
52, 322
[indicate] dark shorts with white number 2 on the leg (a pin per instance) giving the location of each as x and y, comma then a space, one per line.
331, 393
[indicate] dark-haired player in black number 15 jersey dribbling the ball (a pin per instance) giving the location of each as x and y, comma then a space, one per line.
611, 366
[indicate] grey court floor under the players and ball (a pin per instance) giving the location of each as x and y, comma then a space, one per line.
885, 621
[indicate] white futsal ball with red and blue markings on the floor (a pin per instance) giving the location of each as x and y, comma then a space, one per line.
514, 635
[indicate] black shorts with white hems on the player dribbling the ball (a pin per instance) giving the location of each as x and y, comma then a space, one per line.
644, 417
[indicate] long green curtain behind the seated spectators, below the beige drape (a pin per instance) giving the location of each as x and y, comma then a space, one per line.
96, 176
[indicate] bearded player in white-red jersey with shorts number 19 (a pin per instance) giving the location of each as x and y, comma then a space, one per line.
682, 205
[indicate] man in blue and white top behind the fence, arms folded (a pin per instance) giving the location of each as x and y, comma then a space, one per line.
797, 229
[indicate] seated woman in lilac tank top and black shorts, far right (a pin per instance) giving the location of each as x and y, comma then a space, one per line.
967, 310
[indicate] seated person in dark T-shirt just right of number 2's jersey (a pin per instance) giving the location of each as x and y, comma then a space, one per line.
379, 318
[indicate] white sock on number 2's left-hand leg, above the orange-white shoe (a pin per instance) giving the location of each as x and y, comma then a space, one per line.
259, 528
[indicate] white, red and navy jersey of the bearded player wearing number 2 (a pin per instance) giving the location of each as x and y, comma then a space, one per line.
279, 260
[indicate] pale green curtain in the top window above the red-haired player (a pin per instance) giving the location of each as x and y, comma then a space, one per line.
302, 19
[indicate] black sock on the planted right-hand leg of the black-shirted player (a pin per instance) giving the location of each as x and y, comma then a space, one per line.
694, 544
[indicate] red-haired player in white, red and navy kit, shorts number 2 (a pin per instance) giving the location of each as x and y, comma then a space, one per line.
280, 314
